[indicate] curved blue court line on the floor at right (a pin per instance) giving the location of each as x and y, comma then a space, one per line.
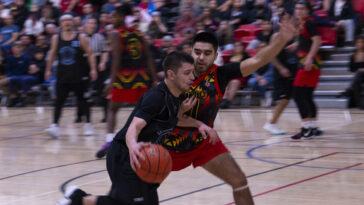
251, 156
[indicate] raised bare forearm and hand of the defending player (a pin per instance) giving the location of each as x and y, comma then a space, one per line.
266, 55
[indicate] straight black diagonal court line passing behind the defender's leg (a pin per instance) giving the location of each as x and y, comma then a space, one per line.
253, 175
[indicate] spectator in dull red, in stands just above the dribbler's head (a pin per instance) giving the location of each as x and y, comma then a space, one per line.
185, 21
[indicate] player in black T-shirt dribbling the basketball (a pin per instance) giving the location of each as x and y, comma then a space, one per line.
154, 116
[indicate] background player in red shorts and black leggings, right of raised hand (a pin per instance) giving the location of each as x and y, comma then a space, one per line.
308, 72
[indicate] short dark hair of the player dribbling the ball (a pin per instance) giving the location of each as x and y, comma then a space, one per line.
174, 60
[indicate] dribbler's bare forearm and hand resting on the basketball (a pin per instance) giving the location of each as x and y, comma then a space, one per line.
136, 126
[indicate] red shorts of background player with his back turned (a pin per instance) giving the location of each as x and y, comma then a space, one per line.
127, 95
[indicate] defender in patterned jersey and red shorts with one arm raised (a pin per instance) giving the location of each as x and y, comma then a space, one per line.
187, 145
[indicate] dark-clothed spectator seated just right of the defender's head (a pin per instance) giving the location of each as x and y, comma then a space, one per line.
225, 35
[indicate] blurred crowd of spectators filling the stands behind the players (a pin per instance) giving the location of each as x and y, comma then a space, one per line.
26, 27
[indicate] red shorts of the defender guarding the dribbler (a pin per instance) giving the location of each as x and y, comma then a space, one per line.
197, 156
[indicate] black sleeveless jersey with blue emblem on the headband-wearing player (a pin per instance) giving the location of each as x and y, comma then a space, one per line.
70, 60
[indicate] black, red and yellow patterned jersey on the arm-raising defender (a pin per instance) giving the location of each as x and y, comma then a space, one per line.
209, 90
